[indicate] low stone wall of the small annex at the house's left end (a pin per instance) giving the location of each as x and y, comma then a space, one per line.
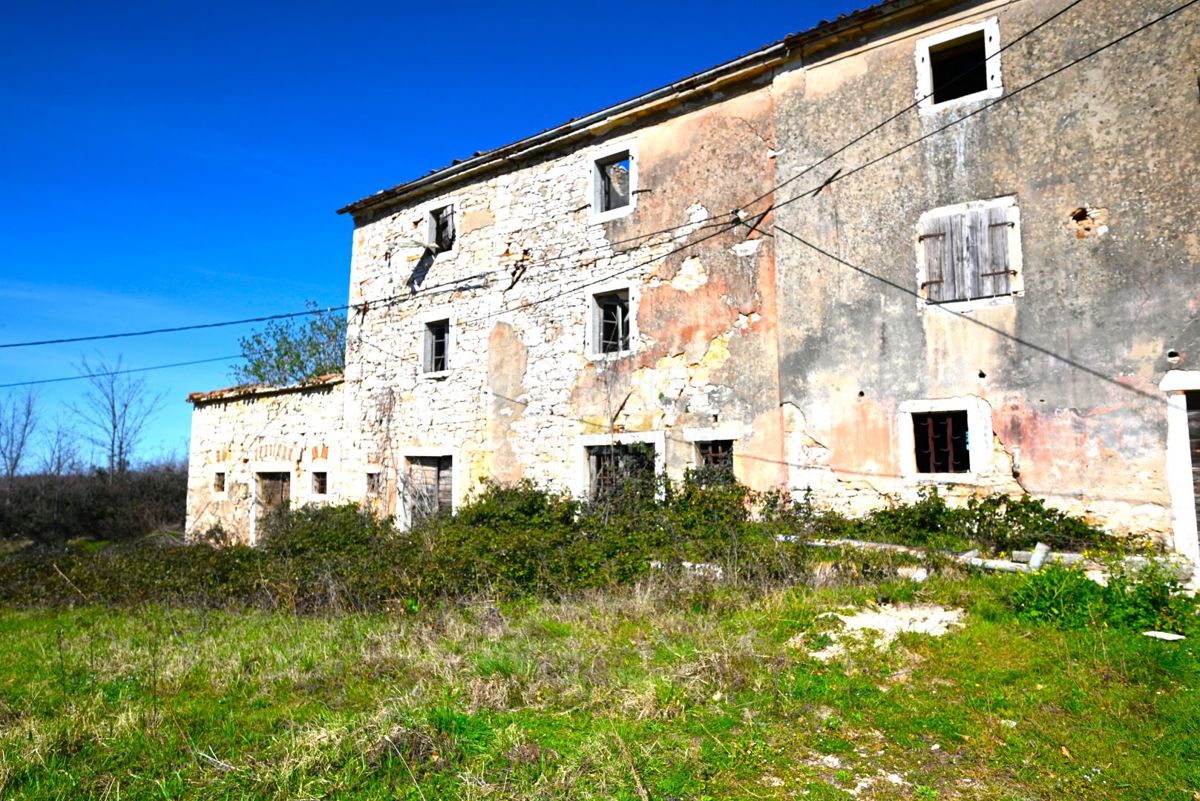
296, 431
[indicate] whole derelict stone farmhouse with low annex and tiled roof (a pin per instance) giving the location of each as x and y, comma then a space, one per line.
931, 243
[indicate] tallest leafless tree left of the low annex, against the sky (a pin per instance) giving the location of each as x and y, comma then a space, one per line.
117, 408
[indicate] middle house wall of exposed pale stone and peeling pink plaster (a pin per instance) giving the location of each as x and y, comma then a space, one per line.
523, 393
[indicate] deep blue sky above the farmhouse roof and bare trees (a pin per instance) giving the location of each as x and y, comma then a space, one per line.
173, 164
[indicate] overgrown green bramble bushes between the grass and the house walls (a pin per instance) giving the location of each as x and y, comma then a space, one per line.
520, 540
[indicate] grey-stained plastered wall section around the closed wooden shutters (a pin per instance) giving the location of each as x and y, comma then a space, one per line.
1070, 370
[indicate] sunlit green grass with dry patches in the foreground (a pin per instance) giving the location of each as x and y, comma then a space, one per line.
650, 692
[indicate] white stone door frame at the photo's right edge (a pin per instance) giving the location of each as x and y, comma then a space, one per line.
1179, 462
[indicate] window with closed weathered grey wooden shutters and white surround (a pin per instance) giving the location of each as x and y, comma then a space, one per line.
968, 254
